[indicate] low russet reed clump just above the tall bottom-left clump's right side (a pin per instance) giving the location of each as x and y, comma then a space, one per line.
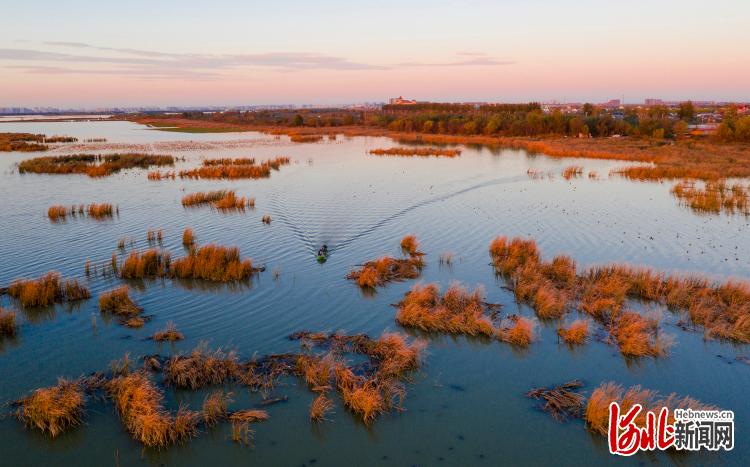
201, 368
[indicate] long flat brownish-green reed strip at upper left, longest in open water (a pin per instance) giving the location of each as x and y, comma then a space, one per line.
92, 165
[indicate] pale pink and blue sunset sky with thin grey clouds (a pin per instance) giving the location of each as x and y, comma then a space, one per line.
78, 53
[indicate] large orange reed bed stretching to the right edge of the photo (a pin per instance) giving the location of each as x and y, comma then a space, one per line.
552, 288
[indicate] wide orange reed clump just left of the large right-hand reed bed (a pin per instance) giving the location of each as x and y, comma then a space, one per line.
457, 311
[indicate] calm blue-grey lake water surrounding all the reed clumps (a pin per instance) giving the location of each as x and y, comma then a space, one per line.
466, 407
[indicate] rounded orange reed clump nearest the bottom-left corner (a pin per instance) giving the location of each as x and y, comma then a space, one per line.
55, 409
